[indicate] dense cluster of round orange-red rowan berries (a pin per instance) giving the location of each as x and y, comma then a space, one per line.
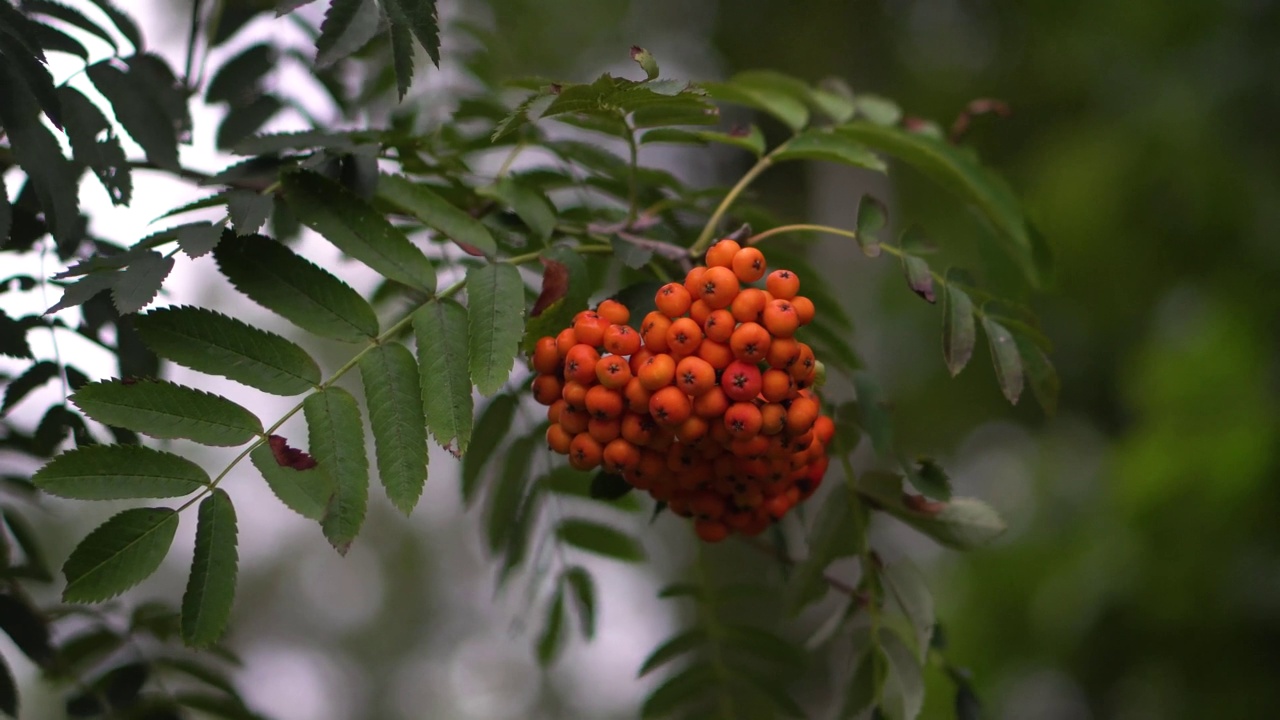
708, 405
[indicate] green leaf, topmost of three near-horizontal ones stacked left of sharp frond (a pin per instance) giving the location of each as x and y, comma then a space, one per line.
212, 343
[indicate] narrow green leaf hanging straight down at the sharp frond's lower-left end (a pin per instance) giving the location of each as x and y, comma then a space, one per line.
207, 607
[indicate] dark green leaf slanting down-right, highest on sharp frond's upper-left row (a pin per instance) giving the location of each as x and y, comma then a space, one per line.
358, 230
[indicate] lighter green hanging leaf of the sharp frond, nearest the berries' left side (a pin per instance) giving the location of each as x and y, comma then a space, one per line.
496, 309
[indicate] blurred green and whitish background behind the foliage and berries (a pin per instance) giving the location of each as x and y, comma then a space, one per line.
1141, 576
